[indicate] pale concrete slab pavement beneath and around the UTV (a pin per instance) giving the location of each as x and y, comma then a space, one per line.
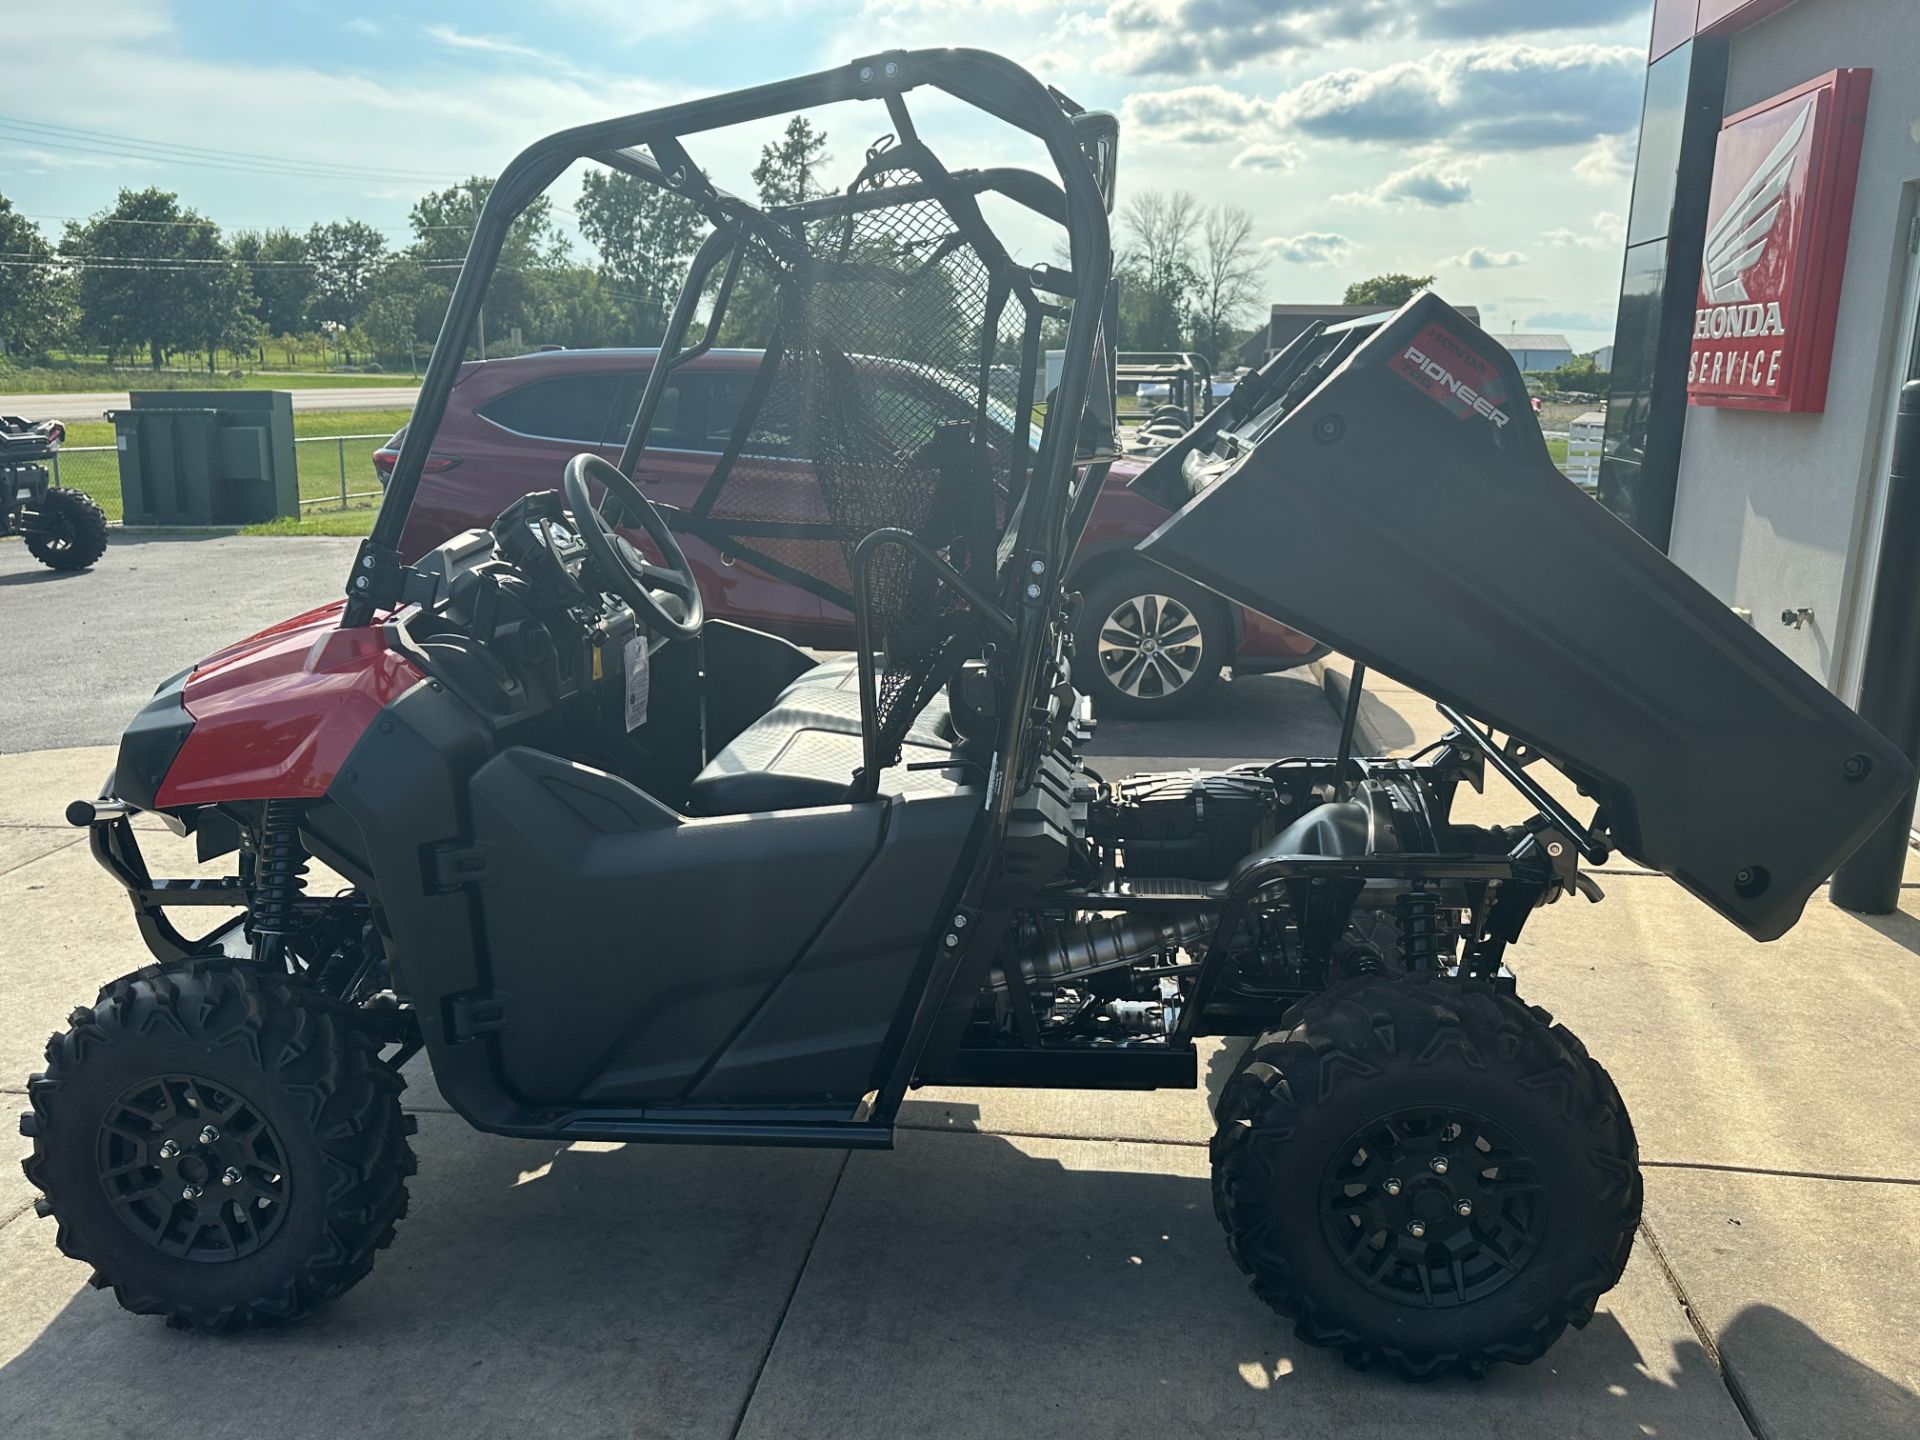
1040, 1262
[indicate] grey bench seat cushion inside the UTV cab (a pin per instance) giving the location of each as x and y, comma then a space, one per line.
807, 748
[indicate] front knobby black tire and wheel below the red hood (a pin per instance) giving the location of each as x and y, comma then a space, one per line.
224, 1147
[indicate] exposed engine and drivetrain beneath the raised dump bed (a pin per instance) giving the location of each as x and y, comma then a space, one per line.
1111, 957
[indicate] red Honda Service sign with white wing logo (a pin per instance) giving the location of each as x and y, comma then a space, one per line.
1777, 247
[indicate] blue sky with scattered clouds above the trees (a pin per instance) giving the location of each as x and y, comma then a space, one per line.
1483, 141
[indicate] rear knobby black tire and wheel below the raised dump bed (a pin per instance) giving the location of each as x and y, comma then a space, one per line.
1428, 1176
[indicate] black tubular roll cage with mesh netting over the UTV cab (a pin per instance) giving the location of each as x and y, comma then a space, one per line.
905, 220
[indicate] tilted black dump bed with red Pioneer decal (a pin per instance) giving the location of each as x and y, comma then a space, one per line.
1406, 514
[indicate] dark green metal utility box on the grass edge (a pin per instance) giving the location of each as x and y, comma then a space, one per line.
206, 456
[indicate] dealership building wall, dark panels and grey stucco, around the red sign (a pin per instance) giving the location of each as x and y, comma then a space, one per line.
1771, 512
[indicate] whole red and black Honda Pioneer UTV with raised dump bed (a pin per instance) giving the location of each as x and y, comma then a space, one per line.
631, 875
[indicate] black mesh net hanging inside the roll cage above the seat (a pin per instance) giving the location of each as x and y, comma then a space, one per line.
894, 341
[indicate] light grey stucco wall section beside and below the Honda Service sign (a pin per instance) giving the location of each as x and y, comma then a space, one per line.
1771, 508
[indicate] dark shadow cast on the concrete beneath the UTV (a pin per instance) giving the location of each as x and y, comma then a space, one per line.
965, 1285
